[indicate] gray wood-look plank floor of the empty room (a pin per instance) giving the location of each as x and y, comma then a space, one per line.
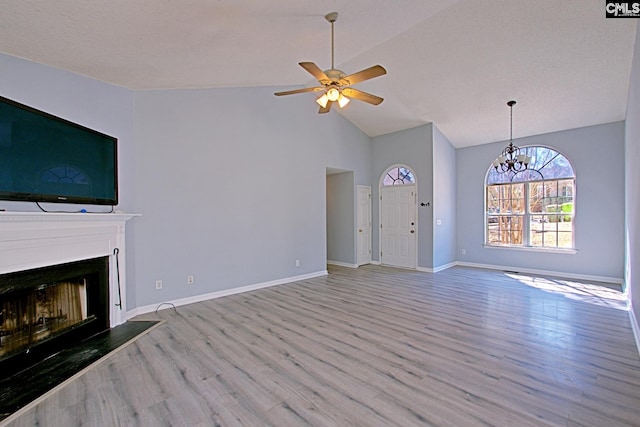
372, 346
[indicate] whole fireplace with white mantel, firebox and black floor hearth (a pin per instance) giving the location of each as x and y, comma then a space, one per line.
62, 277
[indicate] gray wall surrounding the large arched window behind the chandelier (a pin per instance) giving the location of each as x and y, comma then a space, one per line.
599, 219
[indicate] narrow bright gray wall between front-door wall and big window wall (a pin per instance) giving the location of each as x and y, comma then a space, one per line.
444, 200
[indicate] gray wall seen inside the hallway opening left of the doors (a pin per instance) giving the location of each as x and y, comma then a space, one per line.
341, 222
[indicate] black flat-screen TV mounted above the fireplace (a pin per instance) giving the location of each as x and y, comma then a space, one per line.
44, 158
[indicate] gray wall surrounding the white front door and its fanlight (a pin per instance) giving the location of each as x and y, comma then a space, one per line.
414, 148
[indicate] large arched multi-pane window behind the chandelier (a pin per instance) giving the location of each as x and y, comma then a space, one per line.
534, 208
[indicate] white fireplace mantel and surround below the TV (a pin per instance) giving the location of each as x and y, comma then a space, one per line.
38, 239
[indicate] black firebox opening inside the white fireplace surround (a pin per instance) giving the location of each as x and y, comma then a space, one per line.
43, 310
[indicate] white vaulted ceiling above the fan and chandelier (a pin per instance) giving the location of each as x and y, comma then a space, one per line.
451, 62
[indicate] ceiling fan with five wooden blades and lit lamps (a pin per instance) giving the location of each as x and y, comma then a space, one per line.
336, 85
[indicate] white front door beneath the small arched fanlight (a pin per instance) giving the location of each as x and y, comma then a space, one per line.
398, 226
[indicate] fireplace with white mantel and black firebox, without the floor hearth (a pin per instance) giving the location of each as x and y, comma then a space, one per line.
61, 274
